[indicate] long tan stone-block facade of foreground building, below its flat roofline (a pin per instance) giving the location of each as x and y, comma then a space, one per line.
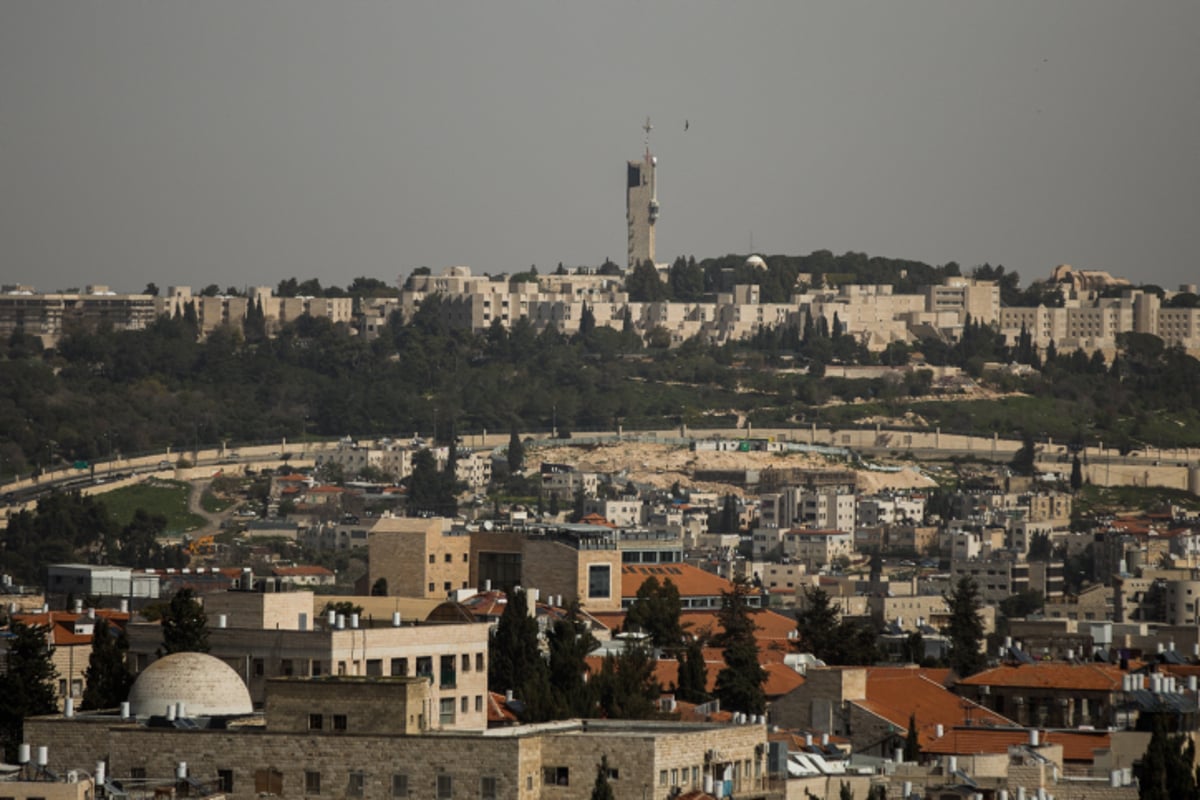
515, 760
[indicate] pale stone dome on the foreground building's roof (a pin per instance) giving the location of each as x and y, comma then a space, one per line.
206, 685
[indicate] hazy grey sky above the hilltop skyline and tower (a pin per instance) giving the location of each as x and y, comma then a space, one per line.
244, 142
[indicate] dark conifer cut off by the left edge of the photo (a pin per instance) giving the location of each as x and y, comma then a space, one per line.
27, 687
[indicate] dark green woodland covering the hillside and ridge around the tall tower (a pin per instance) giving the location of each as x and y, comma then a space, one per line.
107, 393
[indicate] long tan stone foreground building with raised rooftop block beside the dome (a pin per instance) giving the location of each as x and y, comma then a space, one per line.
357, 738
